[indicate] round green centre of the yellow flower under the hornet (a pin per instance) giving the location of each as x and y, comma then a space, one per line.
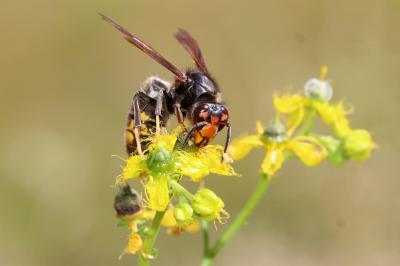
160, 160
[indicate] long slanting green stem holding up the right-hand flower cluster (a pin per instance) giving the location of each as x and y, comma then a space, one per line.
239, 220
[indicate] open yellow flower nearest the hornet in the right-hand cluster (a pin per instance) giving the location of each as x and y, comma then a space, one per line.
306, 148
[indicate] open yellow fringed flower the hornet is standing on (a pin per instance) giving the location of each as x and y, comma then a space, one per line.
163, 161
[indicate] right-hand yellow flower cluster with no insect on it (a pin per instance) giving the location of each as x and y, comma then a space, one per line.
289, 134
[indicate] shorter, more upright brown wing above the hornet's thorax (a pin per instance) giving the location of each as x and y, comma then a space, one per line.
191, 45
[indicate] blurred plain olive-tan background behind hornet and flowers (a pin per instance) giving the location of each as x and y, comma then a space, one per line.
66, 83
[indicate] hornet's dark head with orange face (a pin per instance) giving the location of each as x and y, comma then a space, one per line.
216, 116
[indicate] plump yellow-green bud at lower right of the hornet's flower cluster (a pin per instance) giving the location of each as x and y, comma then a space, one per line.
208, 205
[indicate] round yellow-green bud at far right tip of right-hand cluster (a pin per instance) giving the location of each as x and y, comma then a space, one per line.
358, 144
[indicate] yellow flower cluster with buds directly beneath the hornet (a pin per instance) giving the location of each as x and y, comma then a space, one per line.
160, 171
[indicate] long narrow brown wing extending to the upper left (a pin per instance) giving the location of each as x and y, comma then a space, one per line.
146, 48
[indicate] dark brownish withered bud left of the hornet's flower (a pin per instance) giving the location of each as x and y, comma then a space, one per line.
127, 201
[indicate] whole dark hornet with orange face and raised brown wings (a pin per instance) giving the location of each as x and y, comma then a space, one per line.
193, 94
